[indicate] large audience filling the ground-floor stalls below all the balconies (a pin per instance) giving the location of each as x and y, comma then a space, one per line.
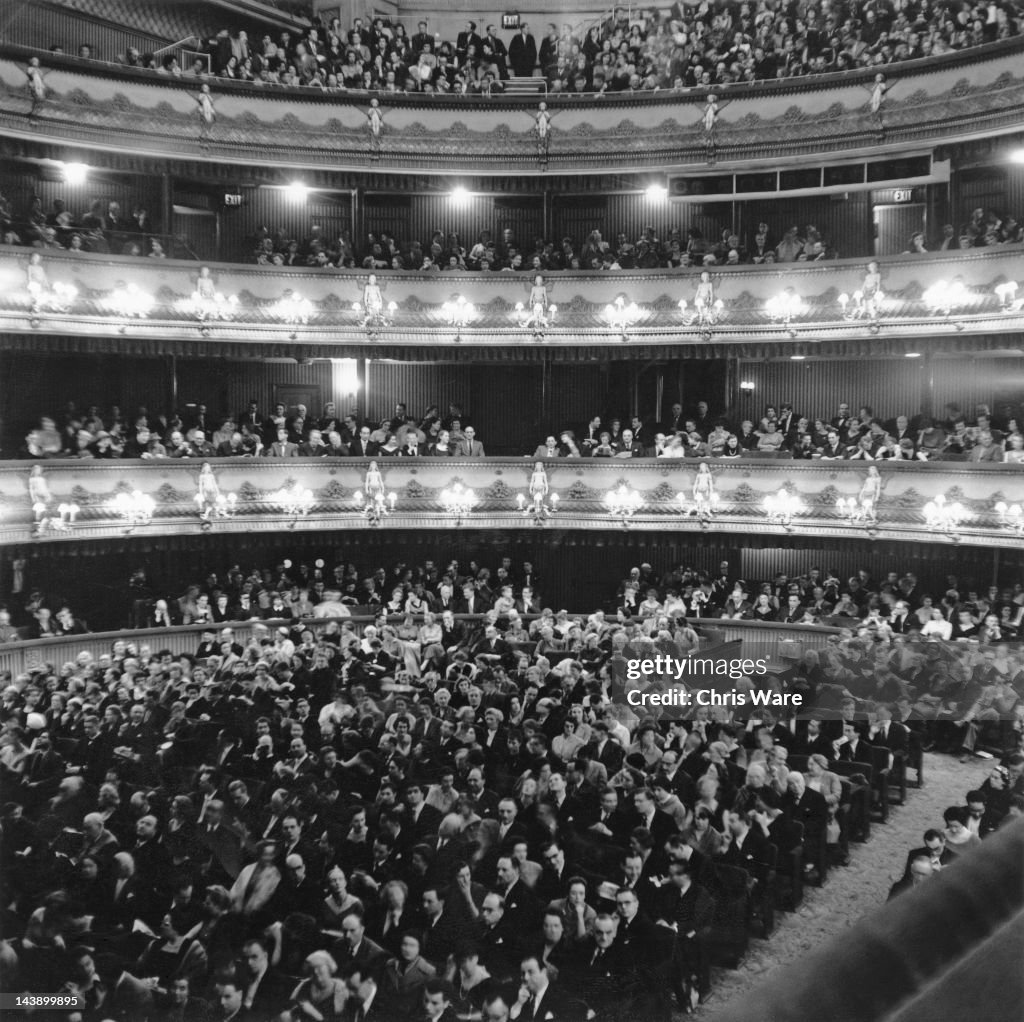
467, 823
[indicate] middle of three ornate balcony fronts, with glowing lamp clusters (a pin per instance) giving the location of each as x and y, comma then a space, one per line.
319, 314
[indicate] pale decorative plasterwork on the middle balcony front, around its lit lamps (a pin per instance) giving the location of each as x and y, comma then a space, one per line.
418, 317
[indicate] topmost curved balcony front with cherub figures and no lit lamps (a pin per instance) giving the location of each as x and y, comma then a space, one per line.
972, 94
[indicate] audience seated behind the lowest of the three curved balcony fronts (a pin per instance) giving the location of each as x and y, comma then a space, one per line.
954, 436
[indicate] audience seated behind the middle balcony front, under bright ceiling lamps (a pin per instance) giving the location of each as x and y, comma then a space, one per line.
105, 229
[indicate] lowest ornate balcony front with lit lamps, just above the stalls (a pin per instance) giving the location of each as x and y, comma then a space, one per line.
739, 491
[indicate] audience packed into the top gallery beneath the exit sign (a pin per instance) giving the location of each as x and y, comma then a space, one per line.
648, 50
